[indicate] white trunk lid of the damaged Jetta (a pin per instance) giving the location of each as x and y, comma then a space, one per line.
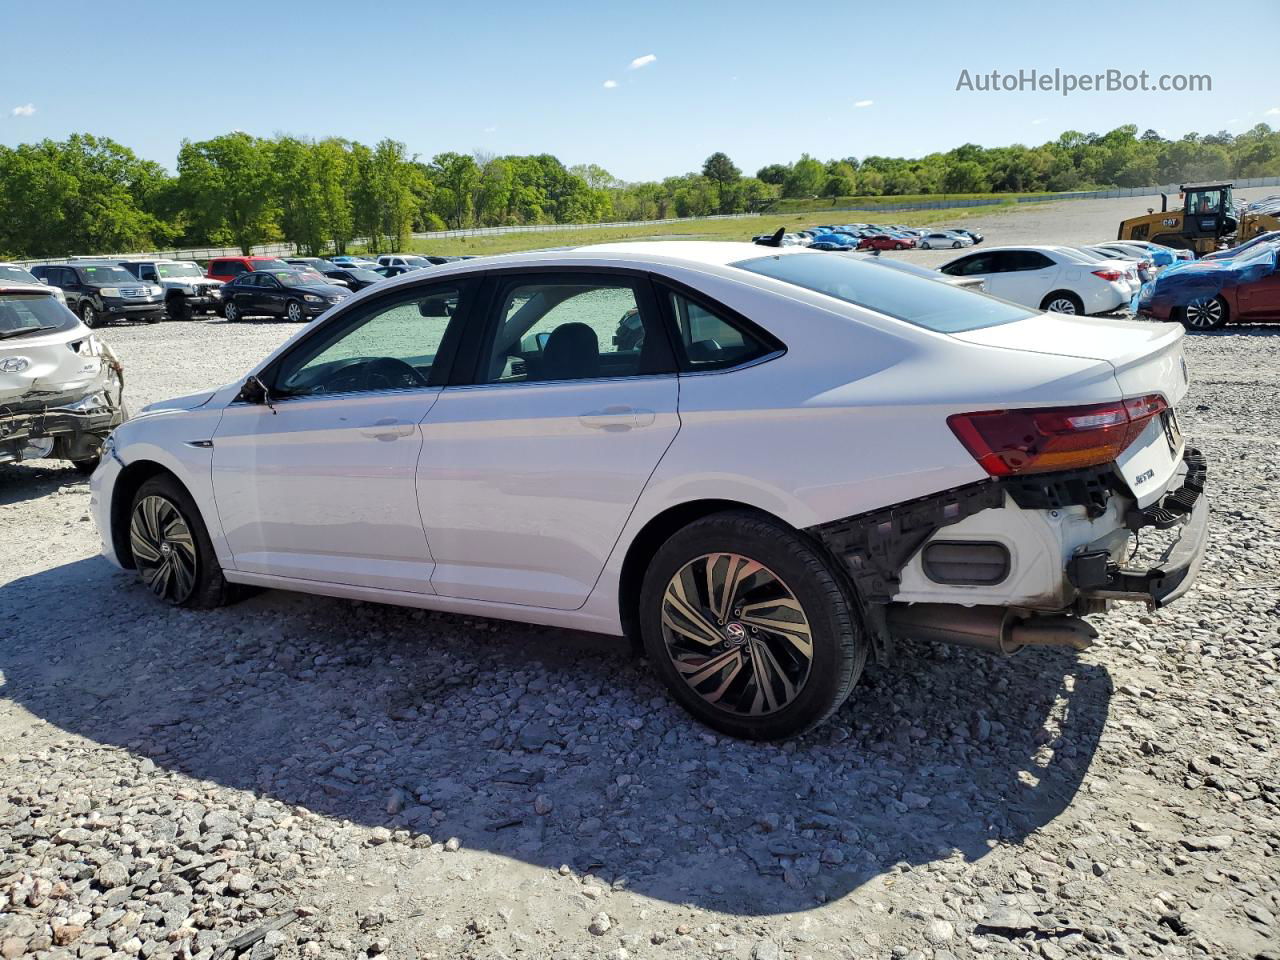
1146, 358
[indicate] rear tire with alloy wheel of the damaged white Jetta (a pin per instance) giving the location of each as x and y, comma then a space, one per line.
838, 643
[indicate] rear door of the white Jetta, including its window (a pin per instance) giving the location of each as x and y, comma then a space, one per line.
533, 464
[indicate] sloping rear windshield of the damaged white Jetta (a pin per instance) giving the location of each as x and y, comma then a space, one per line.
925, 303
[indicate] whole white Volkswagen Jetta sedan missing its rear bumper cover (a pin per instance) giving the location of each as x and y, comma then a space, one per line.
764, 465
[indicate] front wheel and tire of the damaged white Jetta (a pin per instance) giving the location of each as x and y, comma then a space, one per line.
184, 547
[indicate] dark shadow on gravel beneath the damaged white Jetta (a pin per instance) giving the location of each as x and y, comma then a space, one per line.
555, 748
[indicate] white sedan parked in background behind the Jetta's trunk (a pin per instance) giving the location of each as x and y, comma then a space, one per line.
1049, 277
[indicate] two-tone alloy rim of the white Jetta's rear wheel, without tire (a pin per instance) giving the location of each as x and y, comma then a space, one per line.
737, 634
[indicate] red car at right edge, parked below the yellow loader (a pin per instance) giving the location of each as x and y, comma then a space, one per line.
1215, 304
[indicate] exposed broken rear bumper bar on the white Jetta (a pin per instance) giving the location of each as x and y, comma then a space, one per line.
1096, 577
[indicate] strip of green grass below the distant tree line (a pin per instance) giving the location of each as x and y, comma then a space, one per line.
737, 230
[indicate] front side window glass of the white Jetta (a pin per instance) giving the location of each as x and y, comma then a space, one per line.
388, 346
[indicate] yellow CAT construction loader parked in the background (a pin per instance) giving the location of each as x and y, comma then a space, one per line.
1208, 220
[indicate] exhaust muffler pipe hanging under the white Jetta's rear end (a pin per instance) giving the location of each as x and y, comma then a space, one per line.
994, 629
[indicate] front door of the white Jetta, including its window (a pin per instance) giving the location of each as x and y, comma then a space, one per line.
321, 484
